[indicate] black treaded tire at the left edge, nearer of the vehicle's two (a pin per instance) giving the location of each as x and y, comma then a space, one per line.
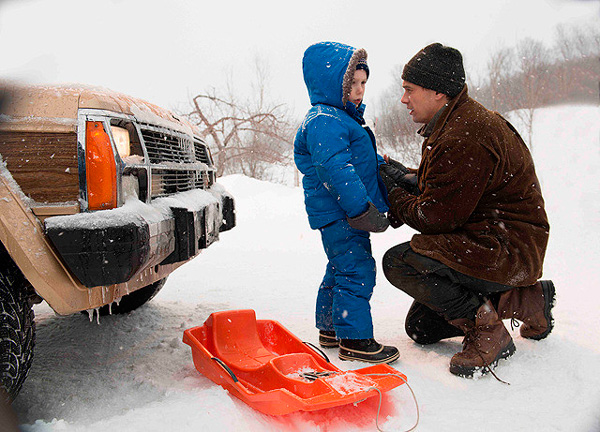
17, 326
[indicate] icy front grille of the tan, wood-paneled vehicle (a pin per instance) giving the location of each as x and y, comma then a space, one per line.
178, 162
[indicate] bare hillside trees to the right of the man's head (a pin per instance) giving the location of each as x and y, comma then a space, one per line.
529, 76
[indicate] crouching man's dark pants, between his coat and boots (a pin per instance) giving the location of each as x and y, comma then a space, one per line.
441, 294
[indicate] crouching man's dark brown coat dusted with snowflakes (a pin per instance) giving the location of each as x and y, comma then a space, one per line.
481, 210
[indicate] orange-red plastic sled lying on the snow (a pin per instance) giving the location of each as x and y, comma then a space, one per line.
270, 369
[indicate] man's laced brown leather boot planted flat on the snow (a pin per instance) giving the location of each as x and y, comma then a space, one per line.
486, 341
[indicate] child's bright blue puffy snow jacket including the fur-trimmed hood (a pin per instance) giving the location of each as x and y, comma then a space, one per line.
333, 148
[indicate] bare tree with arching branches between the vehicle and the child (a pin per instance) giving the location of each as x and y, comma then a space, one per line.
245, 136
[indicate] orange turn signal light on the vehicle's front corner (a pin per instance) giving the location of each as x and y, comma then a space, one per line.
100, 168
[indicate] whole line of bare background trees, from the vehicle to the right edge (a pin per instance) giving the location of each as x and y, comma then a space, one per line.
251, 136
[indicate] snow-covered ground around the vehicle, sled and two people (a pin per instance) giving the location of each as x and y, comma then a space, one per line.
133, 373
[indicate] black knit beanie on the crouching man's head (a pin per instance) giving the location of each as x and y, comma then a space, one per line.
436, 67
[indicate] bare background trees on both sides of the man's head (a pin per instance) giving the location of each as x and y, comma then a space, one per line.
521, 79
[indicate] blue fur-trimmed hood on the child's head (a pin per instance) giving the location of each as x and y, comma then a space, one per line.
328, 69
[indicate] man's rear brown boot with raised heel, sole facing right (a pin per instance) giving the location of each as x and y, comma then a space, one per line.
533, 306
